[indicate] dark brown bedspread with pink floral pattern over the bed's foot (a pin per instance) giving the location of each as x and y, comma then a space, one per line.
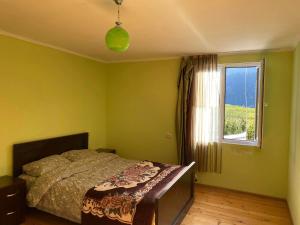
128, 197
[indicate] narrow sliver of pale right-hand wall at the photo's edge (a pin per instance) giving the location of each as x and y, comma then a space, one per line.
294, 175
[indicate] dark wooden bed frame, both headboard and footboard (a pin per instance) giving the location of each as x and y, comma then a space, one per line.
170, 206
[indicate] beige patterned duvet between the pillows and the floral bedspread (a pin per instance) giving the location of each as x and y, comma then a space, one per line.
61, 191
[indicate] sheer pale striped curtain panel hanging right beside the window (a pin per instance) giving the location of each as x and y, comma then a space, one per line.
206, 115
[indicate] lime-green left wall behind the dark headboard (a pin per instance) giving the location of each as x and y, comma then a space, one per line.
46, 93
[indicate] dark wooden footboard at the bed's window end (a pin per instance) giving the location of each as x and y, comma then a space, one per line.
176, 199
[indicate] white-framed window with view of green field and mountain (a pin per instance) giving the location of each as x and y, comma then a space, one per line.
242, 103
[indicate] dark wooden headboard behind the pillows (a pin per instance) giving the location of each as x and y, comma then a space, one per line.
24, 153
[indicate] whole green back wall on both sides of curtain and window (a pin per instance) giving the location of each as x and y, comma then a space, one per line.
141, 107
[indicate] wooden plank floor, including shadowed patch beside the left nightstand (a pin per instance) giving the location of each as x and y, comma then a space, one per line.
214, 206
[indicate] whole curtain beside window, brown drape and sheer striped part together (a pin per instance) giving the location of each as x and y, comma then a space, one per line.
198, 113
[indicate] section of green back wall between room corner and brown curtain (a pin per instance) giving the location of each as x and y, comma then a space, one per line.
141, 109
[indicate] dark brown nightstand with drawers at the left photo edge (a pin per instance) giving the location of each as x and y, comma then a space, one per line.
12, 200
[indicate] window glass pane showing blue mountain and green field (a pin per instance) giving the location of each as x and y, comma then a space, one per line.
240, 103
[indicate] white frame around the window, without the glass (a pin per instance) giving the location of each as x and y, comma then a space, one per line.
259, 103
